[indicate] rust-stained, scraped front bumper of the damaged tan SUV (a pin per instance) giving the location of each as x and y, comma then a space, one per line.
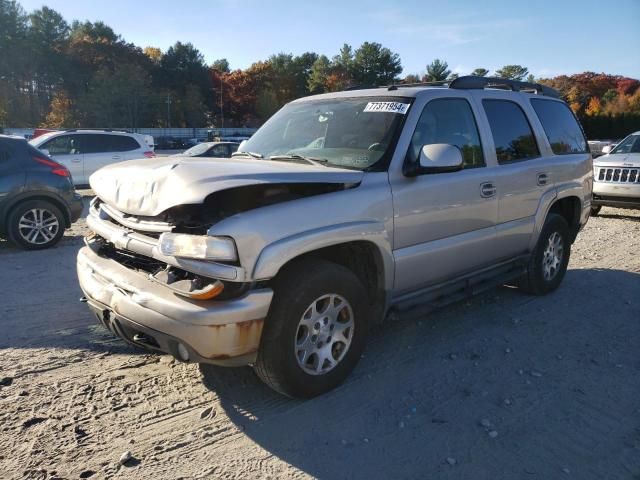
148, 314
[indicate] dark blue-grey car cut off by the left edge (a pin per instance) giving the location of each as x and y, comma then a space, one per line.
37, 198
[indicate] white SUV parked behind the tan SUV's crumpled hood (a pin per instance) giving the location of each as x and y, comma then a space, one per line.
85, 151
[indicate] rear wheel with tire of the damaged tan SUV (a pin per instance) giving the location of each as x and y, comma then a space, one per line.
550, 258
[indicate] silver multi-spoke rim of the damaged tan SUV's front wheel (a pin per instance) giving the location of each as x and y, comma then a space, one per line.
324, 334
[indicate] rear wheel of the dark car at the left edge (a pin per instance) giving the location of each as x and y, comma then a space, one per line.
35, 225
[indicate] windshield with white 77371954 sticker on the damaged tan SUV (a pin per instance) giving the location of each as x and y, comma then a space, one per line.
351, 132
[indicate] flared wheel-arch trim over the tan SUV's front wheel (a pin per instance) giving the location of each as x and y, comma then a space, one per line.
278, 253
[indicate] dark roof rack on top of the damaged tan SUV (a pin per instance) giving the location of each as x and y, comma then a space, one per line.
472, 82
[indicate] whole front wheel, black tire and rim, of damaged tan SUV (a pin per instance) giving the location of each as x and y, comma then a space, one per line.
316, 329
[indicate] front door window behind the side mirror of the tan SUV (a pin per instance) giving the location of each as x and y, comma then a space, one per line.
451, 121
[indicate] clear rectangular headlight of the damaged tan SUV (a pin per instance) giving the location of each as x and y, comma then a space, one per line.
202, 247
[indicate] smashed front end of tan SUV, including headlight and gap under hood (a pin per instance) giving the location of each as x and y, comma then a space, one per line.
161, 282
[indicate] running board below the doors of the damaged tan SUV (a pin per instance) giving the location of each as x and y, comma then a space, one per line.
432, 298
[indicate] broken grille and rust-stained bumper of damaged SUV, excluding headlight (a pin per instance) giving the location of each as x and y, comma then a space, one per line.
196, 310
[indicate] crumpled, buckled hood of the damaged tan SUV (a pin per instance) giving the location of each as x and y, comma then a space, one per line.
149, 187
